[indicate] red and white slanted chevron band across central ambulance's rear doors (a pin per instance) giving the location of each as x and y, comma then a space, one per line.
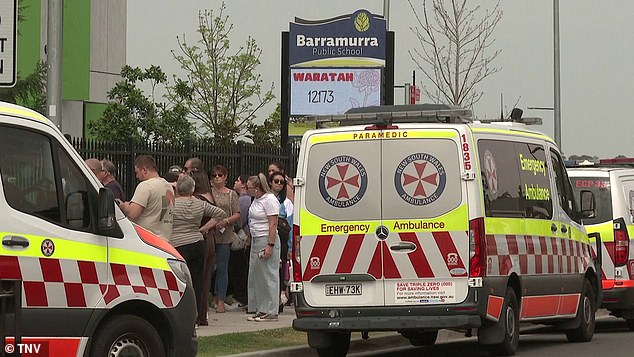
436, 255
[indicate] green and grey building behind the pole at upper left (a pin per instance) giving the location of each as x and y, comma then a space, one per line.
93, 53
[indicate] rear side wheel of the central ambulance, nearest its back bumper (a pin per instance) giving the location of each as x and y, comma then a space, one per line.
510, 322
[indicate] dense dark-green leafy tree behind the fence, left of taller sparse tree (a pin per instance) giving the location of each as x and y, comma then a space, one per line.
130, 113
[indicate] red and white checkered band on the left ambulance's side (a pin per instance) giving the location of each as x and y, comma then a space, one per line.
65, 283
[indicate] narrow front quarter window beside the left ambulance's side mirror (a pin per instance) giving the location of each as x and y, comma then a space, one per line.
77, 193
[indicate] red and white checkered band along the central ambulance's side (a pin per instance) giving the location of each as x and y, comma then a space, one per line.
535, 255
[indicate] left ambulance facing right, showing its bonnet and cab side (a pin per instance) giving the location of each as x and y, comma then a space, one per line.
77, 278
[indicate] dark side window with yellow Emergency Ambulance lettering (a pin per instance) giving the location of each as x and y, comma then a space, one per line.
535, 181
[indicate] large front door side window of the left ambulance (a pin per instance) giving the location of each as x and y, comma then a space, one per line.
28, 179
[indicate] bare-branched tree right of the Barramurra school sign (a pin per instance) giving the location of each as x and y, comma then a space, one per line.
453, 50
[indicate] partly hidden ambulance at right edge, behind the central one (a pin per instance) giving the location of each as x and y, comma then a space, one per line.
612, 182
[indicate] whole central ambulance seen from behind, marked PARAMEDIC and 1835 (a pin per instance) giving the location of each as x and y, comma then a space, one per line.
417, 218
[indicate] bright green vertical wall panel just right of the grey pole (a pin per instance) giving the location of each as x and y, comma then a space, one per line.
76, 50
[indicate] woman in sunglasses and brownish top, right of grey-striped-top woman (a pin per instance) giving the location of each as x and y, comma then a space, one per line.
226, 199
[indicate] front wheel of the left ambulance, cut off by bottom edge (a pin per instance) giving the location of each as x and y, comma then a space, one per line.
127, 335
